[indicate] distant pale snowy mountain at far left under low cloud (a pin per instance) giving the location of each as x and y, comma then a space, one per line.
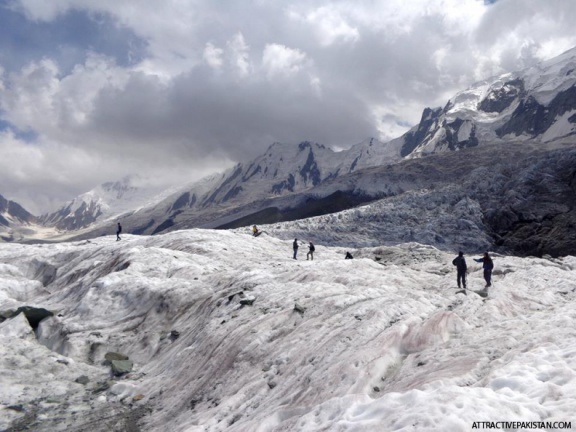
101, 203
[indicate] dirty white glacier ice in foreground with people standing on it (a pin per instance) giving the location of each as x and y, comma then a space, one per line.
228, 333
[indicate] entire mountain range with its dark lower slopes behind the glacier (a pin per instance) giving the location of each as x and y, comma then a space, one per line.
489, 135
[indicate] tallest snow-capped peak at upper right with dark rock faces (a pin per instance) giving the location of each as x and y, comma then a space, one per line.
538, 103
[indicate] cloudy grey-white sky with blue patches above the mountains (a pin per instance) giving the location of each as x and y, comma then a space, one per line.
93, 91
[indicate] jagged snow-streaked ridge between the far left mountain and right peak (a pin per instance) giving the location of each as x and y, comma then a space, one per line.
282, 171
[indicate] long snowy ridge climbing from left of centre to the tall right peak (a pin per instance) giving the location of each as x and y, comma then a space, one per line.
289, 182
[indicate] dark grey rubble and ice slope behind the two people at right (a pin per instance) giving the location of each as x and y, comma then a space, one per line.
521, 202
